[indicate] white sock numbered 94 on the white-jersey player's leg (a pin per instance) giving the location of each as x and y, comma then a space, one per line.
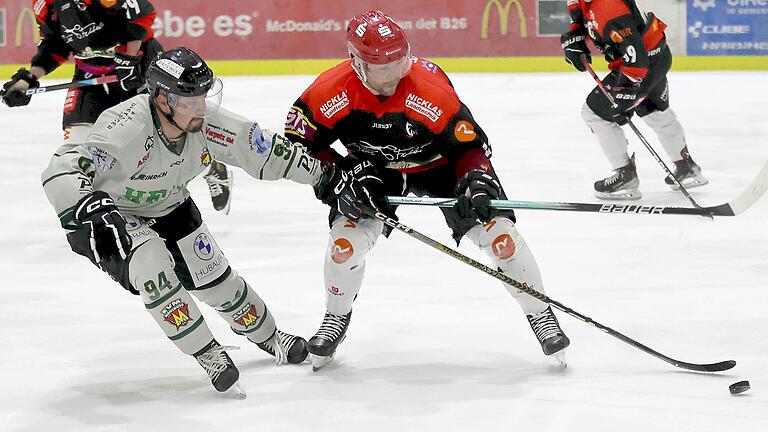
169, 304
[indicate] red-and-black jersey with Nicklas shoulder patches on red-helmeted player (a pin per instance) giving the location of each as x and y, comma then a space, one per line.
421, 126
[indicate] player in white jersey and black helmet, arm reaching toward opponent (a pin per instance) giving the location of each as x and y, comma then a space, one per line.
121, 195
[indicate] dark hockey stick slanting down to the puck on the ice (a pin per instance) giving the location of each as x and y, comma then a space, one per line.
709, 367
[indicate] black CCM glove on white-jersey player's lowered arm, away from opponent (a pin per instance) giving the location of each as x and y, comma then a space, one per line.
97, 214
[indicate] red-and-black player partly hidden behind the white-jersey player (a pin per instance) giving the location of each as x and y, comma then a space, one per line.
105, 37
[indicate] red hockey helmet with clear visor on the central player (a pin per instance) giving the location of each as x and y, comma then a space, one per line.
380, 52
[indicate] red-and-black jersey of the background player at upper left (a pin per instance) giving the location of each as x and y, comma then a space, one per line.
89, 29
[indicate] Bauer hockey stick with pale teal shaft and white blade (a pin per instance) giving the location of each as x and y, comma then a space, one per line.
734, 207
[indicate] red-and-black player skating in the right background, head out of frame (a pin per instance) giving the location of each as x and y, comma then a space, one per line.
635, 46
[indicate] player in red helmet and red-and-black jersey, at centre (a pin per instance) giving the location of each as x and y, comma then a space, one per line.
405, 130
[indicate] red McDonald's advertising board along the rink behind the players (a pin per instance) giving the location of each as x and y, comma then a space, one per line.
314, 29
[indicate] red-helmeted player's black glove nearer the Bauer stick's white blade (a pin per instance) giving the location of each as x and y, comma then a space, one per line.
474, 192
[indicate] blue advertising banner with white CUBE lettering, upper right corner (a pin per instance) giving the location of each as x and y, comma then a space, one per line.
727, 27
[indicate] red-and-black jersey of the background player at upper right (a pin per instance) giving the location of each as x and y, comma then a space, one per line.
627, 37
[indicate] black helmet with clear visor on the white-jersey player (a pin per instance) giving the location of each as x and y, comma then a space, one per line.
184, 76
